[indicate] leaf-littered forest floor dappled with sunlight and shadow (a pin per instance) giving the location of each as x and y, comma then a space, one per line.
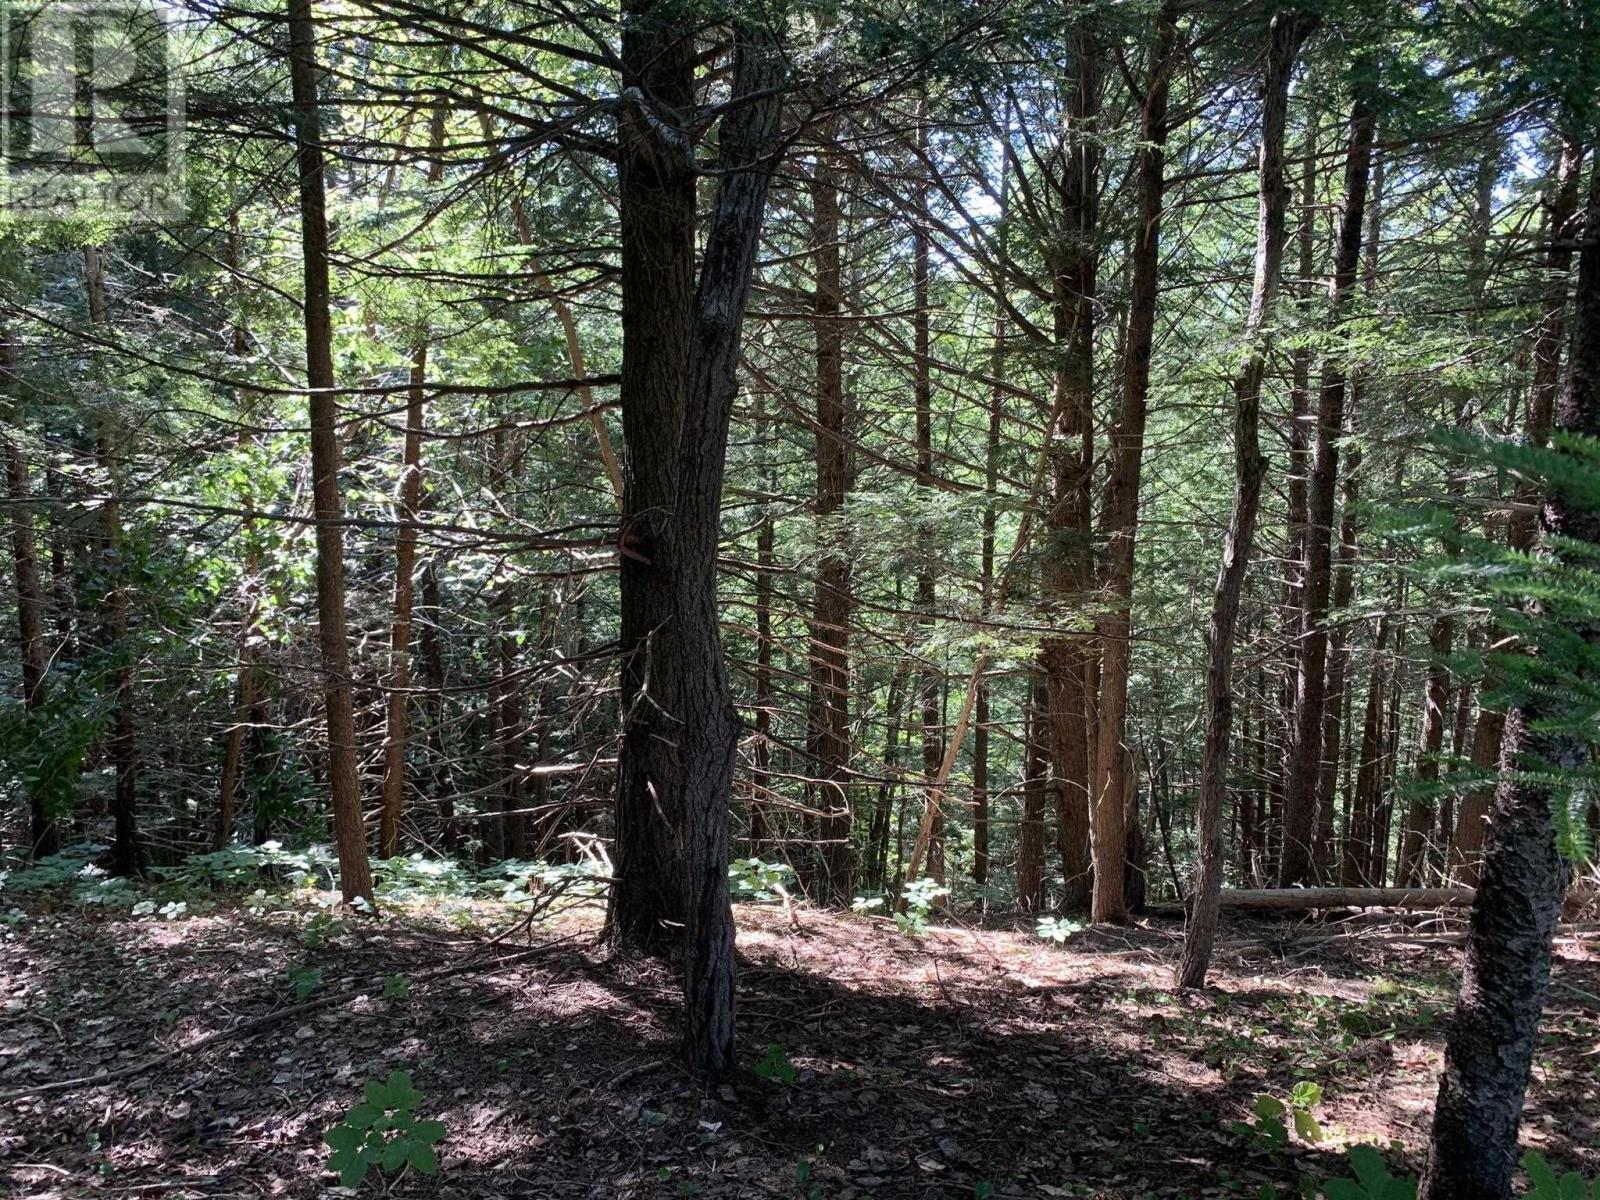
964, 1063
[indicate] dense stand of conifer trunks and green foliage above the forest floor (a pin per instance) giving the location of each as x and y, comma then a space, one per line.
1074, 458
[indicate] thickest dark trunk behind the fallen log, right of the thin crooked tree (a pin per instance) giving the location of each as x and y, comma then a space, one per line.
1311, 694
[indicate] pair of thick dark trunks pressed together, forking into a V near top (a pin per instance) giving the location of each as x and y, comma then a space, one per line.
678, 401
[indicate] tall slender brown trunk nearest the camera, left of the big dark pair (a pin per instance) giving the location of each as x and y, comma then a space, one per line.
356, 878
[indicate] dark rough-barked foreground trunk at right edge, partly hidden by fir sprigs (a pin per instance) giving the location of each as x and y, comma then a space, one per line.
1492, 1039
